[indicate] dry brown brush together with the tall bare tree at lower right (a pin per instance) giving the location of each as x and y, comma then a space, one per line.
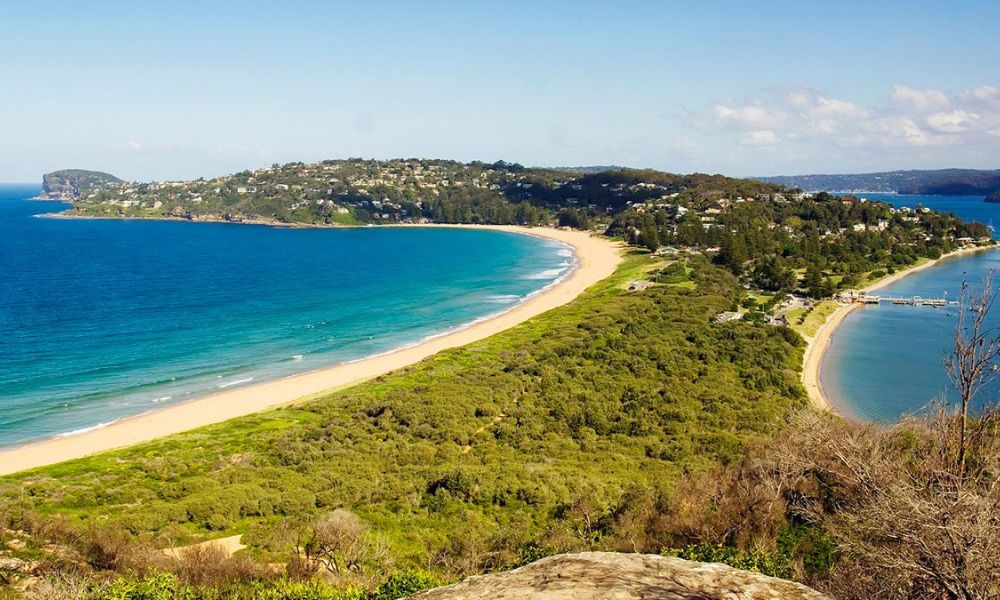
906, 510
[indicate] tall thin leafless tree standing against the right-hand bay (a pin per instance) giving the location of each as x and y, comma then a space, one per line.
973, 362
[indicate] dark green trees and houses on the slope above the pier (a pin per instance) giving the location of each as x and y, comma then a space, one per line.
770, 243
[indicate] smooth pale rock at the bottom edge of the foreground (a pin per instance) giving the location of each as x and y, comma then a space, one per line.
608, 575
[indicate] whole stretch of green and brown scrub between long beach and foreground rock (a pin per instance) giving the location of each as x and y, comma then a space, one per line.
626, 420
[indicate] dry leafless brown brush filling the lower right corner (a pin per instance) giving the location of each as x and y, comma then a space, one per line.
902, 521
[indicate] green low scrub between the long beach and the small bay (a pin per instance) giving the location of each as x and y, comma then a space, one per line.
543, 438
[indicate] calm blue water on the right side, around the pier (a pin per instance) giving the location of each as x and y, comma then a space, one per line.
888, 360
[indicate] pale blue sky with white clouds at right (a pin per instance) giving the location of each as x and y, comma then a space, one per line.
180, 90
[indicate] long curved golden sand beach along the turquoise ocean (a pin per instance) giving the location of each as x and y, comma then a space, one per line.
596, 259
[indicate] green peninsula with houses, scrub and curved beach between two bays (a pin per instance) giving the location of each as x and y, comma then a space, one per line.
607, 412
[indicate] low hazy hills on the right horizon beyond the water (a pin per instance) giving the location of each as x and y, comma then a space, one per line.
945, 182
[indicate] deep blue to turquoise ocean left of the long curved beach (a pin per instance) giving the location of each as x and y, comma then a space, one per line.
104, 319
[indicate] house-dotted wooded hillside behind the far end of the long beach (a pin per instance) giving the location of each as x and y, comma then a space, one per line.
355, 191
